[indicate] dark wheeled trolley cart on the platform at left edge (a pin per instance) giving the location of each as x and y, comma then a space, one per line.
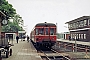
5, 47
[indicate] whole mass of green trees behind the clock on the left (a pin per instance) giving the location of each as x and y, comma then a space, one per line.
10, 13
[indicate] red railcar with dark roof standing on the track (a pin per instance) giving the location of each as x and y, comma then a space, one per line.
44, 34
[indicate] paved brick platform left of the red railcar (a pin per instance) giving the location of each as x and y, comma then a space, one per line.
23, 51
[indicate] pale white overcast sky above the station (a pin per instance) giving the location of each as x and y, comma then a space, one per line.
52, 11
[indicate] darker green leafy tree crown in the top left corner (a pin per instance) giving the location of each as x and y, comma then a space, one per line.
7, 9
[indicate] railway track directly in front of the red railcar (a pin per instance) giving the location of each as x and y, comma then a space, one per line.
52, 55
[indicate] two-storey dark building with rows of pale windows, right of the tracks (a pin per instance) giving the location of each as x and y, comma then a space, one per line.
80, 28
